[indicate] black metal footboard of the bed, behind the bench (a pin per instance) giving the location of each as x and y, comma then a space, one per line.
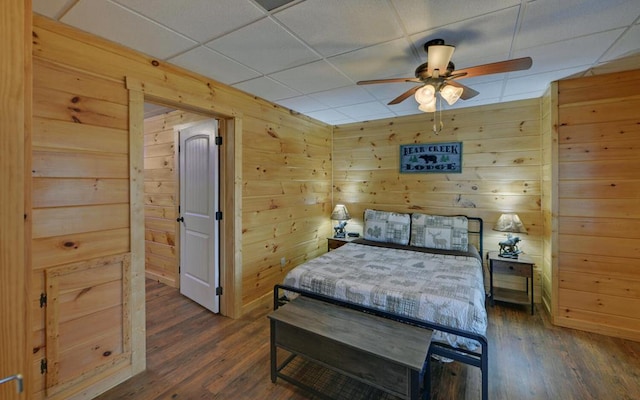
477, 359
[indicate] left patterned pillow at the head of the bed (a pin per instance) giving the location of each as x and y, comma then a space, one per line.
389, 227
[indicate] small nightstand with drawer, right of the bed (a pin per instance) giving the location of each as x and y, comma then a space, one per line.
521, 266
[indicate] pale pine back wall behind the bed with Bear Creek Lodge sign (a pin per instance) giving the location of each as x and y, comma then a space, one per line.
501, 170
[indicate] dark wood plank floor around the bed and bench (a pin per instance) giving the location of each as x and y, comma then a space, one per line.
193, 354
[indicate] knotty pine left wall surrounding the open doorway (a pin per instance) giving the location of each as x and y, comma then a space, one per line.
88, 198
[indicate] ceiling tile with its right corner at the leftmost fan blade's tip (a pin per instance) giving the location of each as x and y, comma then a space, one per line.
313, 77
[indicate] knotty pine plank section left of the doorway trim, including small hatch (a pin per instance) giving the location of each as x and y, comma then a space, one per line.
80, 199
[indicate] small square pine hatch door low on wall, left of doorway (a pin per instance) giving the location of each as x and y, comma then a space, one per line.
86, 321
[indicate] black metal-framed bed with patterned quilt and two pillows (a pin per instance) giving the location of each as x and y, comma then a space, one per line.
420, 269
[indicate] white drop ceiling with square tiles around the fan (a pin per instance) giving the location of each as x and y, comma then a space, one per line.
307, 55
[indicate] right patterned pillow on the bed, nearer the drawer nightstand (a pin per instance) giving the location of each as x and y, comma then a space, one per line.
439, 232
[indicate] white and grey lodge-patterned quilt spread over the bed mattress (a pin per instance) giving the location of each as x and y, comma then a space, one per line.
439, 288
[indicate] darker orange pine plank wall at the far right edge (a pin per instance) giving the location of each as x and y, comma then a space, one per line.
598, 268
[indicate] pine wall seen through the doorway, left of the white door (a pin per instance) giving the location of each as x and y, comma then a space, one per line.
161, 195
